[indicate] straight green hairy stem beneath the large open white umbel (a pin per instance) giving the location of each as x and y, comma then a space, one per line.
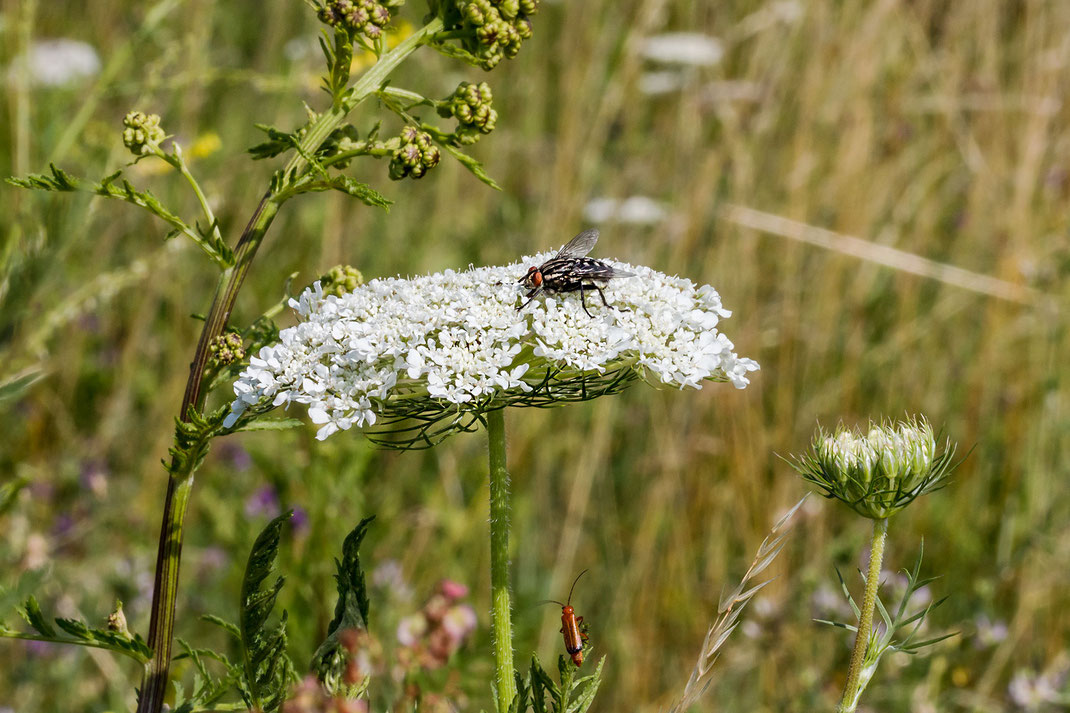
500, 609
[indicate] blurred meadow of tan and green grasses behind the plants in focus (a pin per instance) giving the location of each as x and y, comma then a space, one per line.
880, 191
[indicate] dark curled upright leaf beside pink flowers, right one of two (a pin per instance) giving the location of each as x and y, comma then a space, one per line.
351, 610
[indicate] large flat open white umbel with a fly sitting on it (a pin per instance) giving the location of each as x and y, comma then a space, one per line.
455, 341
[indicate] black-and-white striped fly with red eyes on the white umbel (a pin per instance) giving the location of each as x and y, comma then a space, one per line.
572, 271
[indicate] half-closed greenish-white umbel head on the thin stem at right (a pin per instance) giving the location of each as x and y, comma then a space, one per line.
878, 474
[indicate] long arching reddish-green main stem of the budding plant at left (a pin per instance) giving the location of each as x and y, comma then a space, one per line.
180, 483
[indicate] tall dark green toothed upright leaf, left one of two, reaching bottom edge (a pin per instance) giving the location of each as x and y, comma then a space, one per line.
268, 670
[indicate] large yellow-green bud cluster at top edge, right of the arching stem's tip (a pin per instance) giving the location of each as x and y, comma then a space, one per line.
499, 27
